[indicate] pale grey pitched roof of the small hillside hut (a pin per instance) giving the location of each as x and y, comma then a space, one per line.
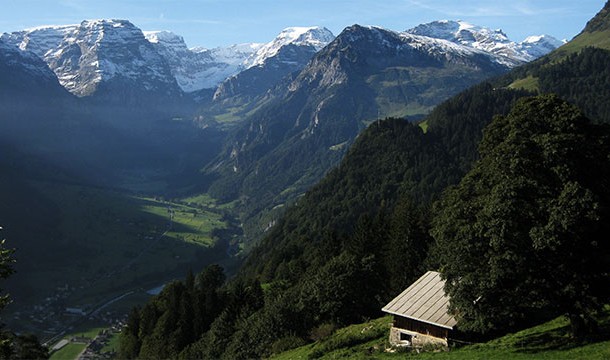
425, 301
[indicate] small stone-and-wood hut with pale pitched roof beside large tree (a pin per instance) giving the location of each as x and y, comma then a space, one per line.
420, 313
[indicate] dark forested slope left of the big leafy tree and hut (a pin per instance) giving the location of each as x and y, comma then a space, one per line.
342, 250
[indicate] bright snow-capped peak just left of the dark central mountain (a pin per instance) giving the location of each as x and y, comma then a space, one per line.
315, 37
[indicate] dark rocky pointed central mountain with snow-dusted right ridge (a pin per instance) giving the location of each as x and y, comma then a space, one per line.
302, 126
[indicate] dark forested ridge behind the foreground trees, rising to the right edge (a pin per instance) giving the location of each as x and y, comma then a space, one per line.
393, 159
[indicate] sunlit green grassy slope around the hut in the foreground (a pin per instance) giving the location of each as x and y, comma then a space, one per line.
550, 340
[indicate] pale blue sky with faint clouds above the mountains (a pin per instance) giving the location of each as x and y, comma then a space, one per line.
211, 23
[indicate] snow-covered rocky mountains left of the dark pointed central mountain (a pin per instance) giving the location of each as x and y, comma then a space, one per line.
85, 55
